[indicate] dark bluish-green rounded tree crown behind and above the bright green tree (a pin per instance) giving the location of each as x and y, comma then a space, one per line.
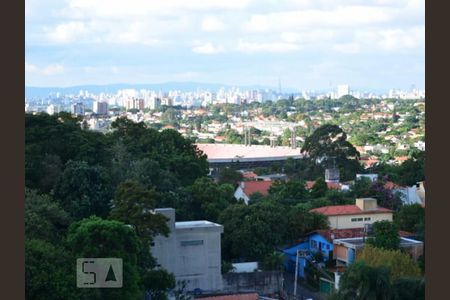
82, 190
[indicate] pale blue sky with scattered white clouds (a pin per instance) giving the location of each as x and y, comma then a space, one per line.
304, 44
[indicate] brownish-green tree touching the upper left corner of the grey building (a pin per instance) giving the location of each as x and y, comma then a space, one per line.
134, 204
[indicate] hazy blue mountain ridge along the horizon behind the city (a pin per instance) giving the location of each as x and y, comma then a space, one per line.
164, 87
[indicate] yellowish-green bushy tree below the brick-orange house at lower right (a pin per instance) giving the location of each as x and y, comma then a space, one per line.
400, 264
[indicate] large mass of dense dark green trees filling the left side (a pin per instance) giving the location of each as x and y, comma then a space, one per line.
75, 177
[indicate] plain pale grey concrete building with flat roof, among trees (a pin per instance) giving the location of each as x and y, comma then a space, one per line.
191, 252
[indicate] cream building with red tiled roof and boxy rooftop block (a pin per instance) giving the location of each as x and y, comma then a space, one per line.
364, 211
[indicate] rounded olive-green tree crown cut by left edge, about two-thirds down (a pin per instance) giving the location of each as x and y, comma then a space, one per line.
44, 218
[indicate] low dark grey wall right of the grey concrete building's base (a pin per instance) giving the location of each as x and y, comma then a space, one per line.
265, 283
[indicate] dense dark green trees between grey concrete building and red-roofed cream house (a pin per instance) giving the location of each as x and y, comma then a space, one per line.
253, 232
